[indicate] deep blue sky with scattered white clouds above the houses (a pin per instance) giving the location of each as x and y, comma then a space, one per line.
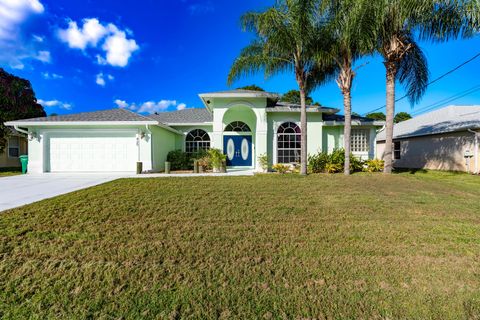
158, 55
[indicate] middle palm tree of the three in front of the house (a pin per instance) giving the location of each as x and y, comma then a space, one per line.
352, 37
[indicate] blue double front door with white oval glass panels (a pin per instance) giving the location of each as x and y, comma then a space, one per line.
238, 150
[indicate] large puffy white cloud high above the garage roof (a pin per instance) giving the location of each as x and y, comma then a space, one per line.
117, 47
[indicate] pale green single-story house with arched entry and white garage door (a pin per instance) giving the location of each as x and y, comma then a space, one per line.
244, 124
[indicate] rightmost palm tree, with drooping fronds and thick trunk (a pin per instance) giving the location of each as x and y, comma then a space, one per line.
396, 23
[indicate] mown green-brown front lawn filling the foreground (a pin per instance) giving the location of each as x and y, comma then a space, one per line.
271, 246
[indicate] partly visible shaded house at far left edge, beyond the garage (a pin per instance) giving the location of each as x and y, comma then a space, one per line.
16, 146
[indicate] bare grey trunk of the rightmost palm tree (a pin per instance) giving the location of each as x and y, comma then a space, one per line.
391, 76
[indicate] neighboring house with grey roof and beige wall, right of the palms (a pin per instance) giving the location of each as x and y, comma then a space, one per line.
444, 139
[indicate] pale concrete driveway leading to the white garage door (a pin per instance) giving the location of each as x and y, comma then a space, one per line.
24, 189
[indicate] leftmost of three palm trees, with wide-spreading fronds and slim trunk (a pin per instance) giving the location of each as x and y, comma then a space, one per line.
288, 36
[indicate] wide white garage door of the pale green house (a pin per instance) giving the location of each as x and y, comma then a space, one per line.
93, 153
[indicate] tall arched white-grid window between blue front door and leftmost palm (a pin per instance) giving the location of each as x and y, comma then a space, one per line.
289, 139
